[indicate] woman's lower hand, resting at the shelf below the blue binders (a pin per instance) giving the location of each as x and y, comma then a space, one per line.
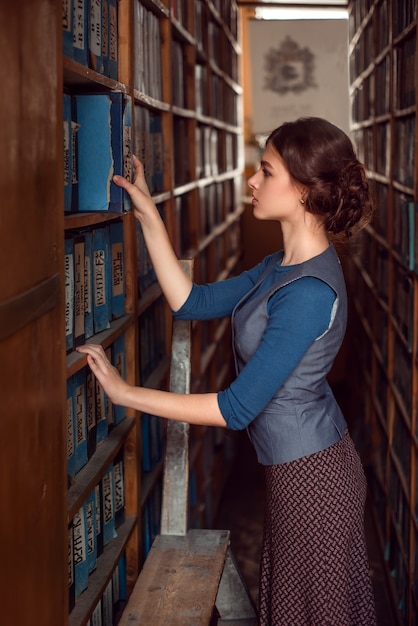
108, 376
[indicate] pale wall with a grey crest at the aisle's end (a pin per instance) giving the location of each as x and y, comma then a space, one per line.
327, 41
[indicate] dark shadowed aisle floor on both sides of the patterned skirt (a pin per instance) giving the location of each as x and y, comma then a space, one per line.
242, 512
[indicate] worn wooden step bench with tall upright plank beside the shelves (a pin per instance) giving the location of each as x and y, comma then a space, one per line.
190, 577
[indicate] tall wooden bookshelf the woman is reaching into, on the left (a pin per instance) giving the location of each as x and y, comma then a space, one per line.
178, 65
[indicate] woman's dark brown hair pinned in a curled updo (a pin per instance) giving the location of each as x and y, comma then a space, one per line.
321, 157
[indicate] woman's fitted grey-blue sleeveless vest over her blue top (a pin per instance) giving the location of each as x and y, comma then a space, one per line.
303, 417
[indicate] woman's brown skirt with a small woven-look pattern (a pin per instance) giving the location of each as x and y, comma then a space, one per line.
314, 566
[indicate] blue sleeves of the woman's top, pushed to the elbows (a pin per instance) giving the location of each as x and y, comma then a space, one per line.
298, 313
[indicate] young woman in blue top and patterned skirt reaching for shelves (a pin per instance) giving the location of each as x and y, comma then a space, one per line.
289, 317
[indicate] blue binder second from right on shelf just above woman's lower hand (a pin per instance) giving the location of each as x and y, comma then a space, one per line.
101, 279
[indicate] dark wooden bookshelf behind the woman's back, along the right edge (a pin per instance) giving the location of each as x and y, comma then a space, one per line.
383, 276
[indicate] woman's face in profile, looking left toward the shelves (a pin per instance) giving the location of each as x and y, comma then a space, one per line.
274, 195
